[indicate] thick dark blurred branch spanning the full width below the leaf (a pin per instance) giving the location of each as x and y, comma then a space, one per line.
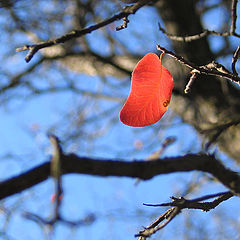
135, 169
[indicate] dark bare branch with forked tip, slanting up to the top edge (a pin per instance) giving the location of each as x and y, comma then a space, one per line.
128, 10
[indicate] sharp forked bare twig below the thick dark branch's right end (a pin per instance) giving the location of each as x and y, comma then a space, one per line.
177, 205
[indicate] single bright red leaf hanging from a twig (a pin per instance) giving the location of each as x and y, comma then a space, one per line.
150, 94
